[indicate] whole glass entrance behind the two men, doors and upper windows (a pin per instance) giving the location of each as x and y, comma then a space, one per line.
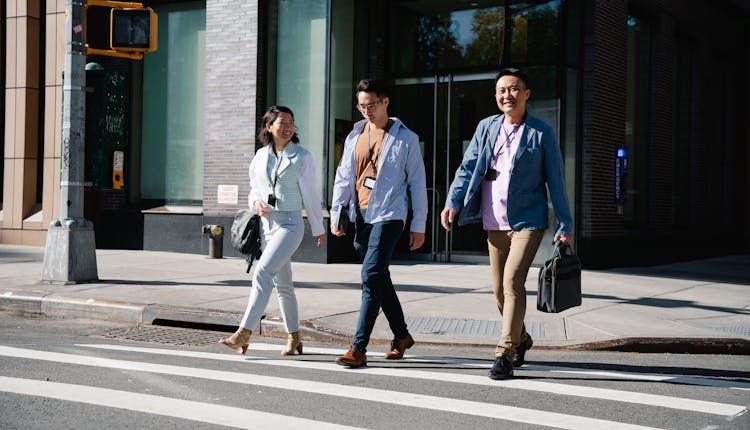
440, 58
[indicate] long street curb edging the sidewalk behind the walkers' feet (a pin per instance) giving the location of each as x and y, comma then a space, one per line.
44, 303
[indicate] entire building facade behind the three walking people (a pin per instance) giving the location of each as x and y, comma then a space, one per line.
649, 100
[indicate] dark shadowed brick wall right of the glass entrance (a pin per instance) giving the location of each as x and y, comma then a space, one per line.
696, 152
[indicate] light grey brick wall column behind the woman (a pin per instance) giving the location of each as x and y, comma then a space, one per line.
231, 88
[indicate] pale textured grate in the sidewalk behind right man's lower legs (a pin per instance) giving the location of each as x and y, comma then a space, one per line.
464, 327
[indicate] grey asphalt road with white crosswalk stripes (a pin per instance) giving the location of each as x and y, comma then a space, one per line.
88, 375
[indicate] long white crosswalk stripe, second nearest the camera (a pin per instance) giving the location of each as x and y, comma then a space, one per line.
489, 410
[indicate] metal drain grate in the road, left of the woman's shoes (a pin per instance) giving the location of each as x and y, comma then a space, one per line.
166, 335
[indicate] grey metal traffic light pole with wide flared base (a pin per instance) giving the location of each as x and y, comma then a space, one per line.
70, 251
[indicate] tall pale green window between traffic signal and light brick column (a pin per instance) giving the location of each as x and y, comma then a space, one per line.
173, 107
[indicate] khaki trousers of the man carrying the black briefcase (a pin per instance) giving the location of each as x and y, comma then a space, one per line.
511, 254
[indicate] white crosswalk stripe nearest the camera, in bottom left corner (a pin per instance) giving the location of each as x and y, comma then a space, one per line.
187, 409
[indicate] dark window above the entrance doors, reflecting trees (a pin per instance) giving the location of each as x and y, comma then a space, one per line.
433, 36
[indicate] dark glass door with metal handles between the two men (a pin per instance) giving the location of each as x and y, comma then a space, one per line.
444, 111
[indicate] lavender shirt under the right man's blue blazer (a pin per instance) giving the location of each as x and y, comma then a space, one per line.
495, 193
